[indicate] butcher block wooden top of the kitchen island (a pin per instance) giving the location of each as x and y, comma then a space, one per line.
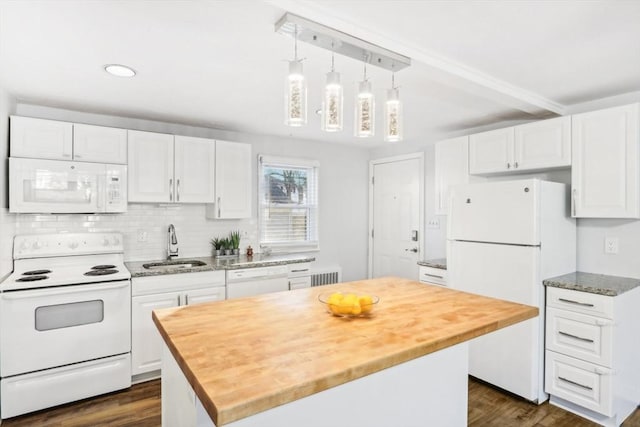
247, 355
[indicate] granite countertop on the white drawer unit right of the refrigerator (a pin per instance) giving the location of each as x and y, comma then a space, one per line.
593, 283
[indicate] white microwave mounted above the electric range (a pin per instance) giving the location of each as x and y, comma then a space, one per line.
59, 186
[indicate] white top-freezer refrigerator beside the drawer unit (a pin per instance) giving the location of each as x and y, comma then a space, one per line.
503, 239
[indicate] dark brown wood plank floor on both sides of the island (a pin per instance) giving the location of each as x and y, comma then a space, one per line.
139, 406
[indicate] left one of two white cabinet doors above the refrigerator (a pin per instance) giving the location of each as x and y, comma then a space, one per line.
491, 152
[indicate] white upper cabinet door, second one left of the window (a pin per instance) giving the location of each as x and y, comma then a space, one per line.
194, 169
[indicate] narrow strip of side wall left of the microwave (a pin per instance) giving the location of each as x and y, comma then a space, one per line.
7, 222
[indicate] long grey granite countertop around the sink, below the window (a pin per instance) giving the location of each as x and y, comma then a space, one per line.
211, 263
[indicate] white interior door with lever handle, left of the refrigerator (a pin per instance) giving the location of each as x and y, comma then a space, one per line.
396, 216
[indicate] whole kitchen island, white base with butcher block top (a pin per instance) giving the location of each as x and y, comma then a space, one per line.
280, 359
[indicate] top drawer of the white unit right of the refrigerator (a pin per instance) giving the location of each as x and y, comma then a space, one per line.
581, 302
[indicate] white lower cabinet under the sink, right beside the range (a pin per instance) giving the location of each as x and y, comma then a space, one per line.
156, 292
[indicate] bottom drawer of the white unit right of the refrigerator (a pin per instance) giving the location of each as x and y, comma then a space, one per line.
580, 382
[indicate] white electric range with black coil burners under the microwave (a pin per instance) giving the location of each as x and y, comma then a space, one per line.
65, 321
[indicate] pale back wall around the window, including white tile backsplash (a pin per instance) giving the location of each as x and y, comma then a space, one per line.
343, 199
